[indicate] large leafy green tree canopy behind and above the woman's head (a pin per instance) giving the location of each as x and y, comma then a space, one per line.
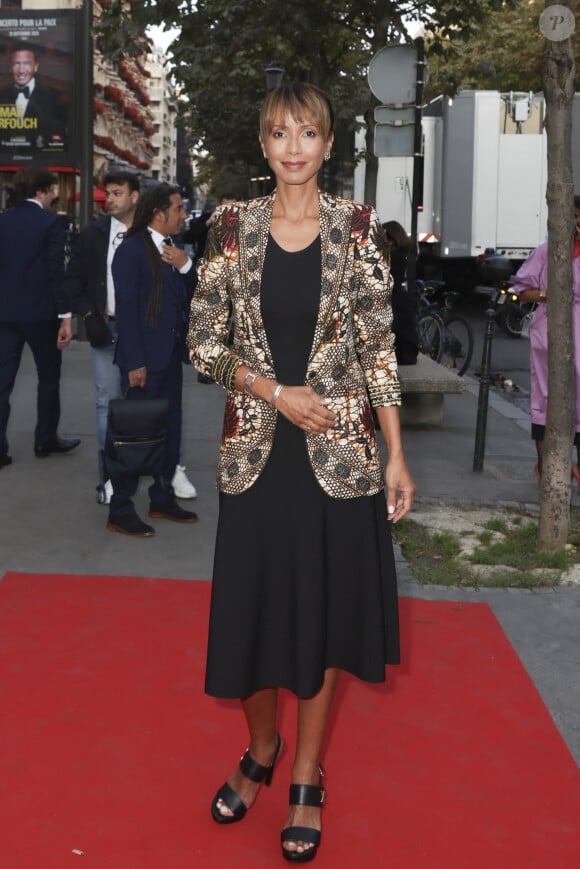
219, 59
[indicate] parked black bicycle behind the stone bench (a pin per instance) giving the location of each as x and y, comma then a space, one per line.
444, 336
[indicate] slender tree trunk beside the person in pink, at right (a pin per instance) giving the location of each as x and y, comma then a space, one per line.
558, 79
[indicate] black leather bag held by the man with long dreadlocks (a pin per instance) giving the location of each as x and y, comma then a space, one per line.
136, 441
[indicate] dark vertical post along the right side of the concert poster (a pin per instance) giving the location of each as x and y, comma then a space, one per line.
86, 114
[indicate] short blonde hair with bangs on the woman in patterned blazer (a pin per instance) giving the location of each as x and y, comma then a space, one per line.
303, 102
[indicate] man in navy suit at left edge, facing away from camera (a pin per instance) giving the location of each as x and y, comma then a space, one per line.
33, 309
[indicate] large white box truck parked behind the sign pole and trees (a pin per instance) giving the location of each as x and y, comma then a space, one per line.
484, 185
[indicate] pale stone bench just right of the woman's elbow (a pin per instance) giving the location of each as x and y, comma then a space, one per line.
423, 388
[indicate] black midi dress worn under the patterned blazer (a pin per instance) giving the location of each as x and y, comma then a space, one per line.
301, 581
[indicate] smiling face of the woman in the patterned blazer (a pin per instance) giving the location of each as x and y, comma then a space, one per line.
295, 150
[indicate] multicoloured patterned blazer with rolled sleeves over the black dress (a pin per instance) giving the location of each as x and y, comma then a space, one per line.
352, 358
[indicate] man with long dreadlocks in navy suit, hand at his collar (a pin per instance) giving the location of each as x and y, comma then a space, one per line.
151, 278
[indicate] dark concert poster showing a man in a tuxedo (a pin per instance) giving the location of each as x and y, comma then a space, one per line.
36, 86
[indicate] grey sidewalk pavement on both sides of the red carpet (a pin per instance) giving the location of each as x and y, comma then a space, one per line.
51, 522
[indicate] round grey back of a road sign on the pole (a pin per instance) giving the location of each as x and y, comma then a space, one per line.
393, 74
